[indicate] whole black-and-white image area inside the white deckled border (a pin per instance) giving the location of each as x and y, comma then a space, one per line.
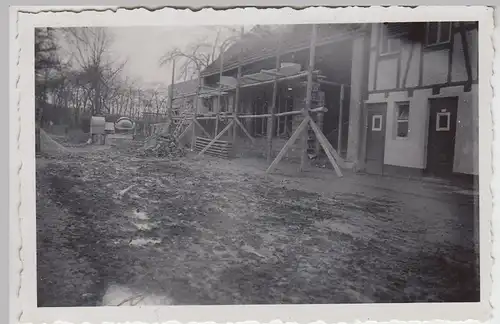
258, 164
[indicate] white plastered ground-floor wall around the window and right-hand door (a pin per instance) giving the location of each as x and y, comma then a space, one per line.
411, 151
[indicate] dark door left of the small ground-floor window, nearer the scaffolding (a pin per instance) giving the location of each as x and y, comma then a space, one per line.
375, 138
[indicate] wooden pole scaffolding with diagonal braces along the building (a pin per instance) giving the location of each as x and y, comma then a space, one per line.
216, 146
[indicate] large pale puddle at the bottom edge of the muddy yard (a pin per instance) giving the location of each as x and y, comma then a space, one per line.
117, 295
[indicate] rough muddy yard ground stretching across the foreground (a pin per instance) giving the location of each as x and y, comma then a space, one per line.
213, 231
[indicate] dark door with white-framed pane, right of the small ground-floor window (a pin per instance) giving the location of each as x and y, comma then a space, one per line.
441, 139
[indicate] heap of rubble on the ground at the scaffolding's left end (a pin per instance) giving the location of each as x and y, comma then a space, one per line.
162, 145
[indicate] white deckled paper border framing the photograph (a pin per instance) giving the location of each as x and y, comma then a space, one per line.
22, 165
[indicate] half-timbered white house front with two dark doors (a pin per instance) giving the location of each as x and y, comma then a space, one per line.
420, 113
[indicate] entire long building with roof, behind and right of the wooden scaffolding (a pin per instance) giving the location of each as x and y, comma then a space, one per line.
410, 92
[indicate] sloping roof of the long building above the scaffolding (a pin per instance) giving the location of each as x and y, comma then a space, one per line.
260, 44
